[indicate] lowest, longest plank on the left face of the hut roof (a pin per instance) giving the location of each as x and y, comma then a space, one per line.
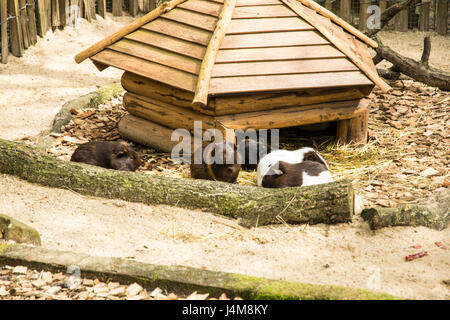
155, 71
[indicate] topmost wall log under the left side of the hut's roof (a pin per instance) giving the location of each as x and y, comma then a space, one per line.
156, 90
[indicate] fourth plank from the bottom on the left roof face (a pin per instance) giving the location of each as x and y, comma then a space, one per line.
179, 30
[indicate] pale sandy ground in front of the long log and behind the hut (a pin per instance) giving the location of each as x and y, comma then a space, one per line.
350, 255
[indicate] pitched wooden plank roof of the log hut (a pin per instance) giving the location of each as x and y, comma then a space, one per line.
266, 45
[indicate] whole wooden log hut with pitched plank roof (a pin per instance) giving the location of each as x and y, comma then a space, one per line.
234, 64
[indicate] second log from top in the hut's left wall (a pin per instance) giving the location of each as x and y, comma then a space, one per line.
165, 114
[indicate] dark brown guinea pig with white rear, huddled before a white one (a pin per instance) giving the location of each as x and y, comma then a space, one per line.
283, 174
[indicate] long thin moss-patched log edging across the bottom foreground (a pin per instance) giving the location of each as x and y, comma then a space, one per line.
181, 279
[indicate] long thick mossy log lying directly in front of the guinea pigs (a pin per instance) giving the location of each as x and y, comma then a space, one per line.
327, 203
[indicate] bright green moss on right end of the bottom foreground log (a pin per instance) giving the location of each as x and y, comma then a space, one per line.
259, 289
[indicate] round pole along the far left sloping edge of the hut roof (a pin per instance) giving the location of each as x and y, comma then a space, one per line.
99, 46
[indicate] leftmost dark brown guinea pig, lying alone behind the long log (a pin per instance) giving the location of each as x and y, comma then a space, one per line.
107, 154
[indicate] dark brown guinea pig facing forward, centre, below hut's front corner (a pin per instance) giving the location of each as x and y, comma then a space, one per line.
224, 165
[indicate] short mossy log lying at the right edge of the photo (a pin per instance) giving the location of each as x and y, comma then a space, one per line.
434, 214
